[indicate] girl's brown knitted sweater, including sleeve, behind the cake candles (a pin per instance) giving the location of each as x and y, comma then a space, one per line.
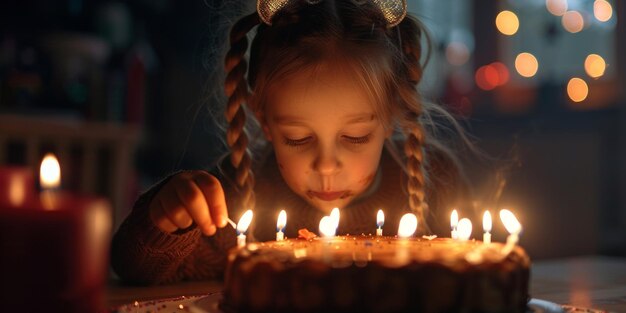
143, 254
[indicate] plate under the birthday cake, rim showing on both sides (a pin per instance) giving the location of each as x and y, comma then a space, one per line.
209, 304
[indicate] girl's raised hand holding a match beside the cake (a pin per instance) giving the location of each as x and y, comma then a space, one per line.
189, 197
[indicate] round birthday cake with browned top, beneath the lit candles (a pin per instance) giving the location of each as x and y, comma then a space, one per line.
376, 274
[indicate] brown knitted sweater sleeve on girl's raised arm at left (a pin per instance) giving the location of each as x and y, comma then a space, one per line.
141, 253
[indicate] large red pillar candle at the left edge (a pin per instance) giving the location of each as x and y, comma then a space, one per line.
54, 258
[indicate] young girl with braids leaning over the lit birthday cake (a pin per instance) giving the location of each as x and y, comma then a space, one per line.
332, 84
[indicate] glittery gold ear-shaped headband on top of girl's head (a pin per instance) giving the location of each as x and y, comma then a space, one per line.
393, 10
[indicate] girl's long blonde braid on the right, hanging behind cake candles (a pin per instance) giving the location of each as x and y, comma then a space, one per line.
409, 33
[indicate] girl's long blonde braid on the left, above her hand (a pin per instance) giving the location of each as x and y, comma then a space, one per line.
236, 91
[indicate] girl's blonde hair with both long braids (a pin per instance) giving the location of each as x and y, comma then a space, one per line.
386, 61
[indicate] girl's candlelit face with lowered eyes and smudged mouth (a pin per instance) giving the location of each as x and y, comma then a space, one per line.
326, 136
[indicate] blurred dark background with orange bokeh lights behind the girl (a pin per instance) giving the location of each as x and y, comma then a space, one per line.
121, 90
